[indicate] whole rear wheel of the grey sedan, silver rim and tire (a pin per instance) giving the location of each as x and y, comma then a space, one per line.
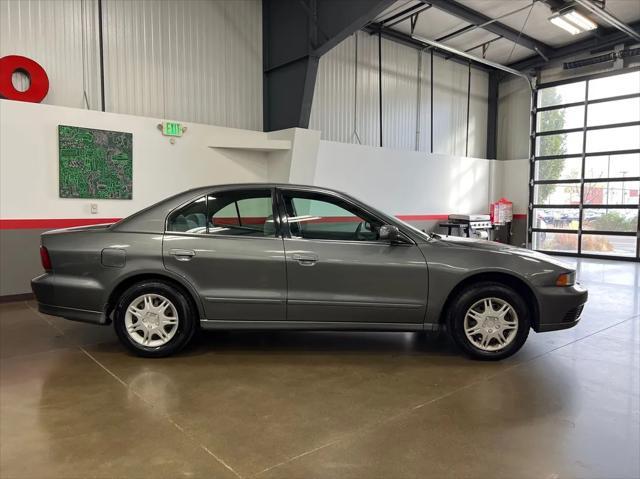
154, 319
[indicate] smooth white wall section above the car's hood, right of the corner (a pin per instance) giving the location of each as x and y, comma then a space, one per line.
404, 182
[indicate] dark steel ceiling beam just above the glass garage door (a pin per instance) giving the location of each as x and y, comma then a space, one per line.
605, 40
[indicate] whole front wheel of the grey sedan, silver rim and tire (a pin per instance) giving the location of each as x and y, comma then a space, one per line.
489, 321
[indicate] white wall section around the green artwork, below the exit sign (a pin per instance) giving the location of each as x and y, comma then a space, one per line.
29, 161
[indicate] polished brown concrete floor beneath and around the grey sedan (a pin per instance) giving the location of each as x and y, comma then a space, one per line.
73, 403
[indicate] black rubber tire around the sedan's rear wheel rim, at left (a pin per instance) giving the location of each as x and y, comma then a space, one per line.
186, 319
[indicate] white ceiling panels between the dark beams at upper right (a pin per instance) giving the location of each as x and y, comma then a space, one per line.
533, 21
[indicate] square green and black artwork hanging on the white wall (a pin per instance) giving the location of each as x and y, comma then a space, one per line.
95, 163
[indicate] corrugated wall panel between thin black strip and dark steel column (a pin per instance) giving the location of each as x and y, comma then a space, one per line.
195, 61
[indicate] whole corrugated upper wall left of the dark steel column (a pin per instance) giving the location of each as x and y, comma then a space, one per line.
196, 60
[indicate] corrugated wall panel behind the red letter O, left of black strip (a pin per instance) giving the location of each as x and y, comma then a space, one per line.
62, 37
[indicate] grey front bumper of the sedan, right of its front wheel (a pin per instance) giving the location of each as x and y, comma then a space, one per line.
560, 307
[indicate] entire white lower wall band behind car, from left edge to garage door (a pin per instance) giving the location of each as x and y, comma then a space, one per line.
399, 182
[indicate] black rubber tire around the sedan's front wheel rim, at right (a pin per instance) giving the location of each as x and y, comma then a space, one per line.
470, 297
